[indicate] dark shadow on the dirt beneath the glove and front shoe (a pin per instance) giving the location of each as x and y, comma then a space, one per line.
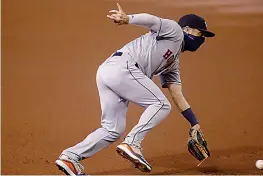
221, 162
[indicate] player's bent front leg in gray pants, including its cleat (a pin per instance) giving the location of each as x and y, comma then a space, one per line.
134, 86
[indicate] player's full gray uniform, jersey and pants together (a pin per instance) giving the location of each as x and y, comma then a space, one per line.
126, 77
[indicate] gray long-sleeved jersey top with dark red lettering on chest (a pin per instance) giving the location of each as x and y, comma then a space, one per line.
157, 57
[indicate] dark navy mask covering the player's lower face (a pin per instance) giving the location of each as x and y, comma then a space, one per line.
192, 43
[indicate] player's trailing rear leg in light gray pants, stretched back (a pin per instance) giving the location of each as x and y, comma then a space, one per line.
113, 123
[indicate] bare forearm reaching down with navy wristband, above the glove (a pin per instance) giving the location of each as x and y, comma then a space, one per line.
181, 103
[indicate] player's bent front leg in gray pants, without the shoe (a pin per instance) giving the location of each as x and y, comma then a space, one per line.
134, 86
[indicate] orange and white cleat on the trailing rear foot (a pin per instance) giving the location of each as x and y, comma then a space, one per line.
69, 166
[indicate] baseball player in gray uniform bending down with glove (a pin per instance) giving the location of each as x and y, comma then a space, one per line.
126, 76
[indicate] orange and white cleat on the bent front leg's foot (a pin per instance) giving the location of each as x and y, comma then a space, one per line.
134, 155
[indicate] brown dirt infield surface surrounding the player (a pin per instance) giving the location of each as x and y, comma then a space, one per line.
51, 50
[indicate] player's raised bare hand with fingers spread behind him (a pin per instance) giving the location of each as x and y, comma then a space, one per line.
118, 16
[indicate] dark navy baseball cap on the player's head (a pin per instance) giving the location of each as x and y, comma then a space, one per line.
196, 22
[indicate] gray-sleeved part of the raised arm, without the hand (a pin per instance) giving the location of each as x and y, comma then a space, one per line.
145, 20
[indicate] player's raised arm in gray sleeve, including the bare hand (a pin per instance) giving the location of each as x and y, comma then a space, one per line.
143, 19
